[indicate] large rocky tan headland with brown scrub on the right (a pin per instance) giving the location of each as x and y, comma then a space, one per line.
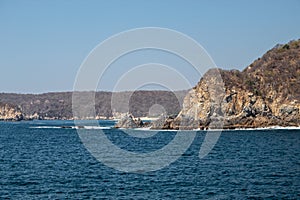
266, 93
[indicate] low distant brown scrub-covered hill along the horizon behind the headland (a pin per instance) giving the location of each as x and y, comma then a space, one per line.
58, 105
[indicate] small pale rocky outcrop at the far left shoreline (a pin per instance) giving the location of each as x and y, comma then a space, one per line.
9, 112
